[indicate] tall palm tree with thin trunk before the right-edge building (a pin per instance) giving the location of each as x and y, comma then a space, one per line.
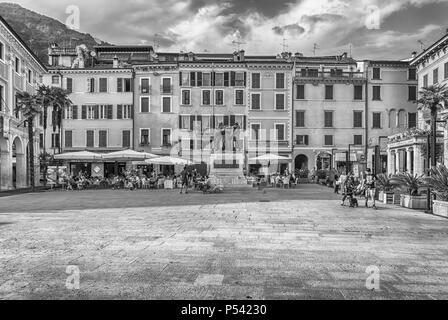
433, 98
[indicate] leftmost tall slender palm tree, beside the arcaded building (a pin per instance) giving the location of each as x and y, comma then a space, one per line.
30, 108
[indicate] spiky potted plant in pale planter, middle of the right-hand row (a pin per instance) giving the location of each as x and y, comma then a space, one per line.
411, 184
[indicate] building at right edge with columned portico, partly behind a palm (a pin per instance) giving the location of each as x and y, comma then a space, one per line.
408, 150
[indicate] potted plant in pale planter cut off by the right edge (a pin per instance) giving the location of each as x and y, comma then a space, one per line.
438, 182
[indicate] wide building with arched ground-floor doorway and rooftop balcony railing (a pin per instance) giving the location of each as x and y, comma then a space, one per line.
329, 113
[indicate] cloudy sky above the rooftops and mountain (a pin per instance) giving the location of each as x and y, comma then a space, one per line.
369, 29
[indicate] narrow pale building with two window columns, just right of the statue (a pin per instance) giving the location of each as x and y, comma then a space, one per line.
270, 81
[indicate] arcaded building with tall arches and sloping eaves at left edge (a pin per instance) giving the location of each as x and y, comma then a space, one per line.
20, 71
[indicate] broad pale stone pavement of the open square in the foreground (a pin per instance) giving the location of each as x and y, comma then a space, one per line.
217, 247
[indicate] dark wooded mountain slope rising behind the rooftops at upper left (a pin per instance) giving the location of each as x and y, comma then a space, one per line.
39, 31
